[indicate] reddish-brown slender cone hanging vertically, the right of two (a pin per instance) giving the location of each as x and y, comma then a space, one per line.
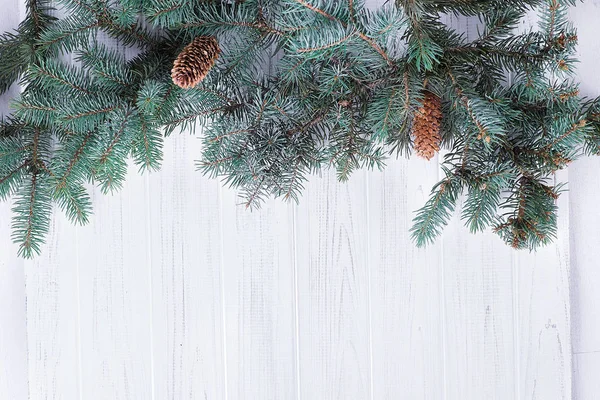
426, 126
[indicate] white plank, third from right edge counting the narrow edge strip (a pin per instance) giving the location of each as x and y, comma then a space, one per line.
479, 313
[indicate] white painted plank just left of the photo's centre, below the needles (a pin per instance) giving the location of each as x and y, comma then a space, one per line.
258, 279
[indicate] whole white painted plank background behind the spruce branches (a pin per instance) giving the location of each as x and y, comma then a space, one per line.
175, 292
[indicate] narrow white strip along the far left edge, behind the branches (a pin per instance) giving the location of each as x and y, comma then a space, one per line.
13, 334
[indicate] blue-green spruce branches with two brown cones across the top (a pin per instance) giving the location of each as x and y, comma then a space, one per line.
283, 88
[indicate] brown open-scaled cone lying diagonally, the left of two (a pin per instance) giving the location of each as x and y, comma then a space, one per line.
195, 61
